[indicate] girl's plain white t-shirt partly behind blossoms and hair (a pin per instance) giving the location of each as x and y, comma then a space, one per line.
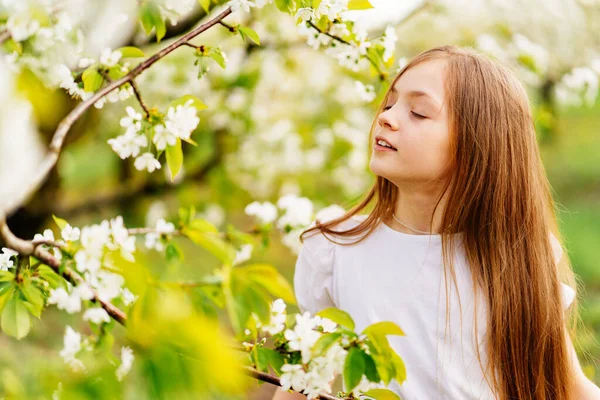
394, 276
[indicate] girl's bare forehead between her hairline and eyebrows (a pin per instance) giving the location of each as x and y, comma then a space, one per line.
424, 80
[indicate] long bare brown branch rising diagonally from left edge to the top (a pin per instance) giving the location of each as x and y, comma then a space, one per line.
51, 158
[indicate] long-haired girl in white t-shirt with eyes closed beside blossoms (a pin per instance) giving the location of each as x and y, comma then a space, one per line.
461, 247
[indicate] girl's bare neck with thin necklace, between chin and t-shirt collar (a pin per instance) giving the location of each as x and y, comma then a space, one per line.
415, 209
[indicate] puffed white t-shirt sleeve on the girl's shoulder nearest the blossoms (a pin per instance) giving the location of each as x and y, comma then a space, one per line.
313, 277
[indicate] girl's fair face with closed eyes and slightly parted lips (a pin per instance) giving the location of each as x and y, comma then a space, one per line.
415, 123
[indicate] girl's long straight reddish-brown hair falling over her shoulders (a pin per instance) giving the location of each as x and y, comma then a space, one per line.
499, 197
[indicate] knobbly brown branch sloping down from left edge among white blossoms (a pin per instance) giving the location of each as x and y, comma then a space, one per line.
27, 248
